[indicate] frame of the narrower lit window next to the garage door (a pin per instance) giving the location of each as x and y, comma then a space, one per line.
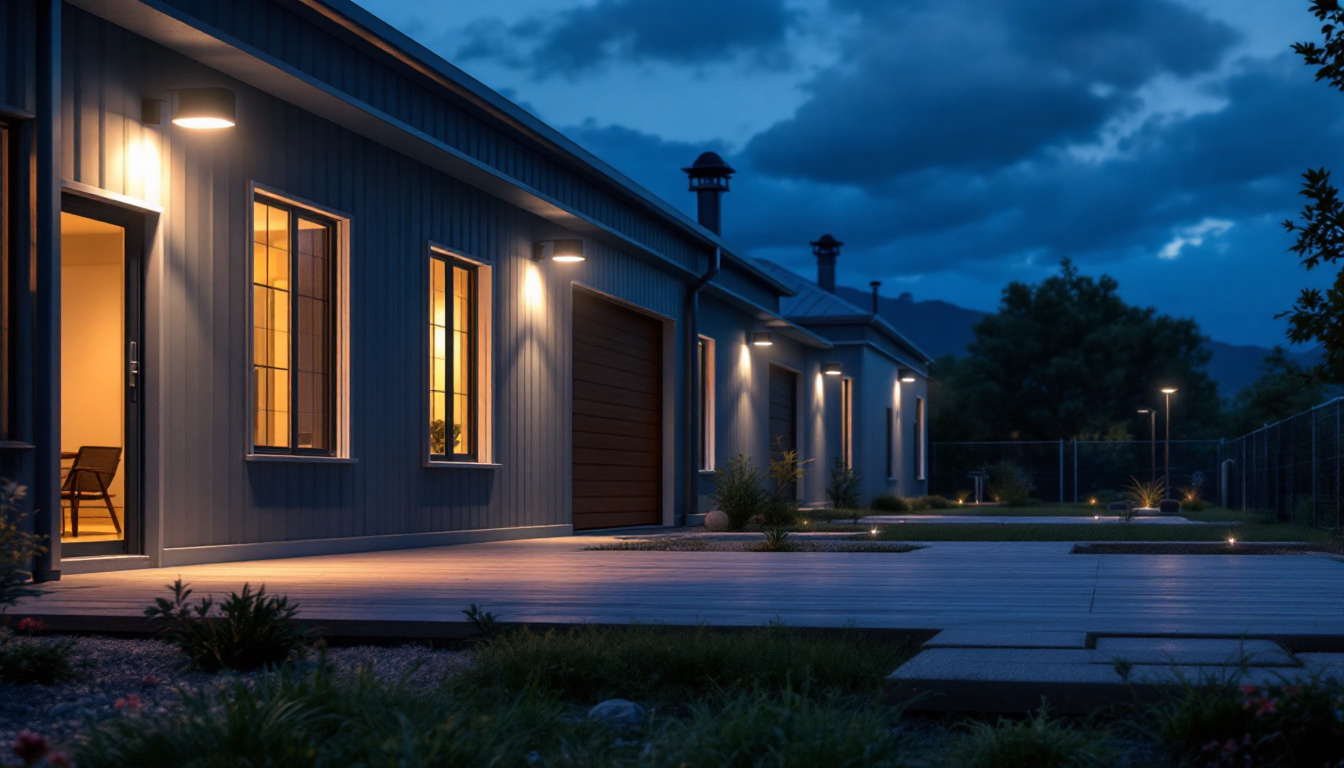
474, 357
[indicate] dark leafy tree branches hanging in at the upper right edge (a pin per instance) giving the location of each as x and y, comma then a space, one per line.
1316, 315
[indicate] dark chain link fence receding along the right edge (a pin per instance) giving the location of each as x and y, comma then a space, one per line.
1291, 470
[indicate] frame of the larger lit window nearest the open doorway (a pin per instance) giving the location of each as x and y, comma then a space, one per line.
338, 420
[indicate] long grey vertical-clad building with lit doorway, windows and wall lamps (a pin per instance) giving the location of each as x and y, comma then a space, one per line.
279, 282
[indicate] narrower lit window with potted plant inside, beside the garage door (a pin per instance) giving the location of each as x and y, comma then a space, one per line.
452, 358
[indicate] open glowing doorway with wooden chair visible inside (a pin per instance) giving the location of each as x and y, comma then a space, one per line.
99, 380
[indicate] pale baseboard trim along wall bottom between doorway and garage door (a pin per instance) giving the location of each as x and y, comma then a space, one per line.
308, 548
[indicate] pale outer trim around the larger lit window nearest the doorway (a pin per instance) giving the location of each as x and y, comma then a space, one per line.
342, 371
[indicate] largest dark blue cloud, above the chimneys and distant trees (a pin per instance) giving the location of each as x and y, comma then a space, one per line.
956, 85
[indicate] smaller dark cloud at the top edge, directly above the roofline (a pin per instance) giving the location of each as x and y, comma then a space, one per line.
685, 33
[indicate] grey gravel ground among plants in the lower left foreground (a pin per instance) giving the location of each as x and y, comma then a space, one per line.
112, 670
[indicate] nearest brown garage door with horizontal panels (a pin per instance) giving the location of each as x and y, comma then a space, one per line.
618, 416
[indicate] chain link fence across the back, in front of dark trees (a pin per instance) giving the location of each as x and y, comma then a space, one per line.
1073, 471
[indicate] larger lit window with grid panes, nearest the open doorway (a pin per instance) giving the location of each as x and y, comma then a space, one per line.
294, 338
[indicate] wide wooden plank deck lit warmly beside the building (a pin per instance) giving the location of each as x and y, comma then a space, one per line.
947, 586
